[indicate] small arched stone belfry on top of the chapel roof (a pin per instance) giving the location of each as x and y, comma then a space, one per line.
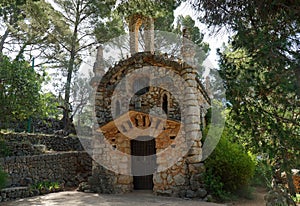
135, 23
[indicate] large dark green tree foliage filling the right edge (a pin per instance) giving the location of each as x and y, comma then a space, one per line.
262, 73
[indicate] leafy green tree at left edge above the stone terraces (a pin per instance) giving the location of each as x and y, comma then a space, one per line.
20, 87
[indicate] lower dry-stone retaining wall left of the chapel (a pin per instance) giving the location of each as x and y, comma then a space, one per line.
70, 168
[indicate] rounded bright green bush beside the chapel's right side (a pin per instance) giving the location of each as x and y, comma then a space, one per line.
229, 169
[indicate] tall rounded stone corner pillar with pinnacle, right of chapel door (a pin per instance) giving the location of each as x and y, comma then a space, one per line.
192, 119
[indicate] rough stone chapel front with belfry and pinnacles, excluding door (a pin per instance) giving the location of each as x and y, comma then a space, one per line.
120, 113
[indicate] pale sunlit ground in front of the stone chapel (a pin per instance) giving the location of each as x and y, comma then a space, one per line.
73, 198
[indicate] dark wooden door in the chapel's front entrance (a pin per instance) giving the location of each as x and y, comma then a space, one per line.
142, 147
